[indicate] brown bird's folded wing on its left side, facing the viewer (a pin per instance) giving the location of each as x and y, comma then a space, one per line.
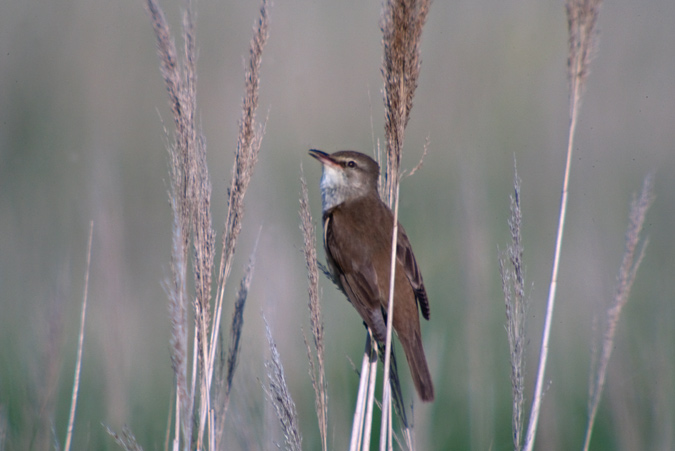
355, 273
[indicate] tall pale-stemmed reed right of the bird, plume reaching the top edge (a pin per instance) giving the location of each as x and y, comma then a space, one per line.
582, 17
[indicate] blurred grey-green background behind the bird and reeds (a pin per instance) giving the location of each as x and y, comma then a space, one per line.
81, 110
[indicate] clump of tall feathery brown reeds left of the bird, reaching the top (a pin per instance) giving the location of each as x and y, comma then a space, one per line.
190, 198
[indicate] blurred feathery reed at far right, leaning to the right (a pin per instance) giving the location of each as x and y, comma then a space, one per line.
632, 257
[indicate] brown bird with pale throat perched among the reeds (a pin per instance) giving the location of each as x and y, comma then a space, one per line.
357, 232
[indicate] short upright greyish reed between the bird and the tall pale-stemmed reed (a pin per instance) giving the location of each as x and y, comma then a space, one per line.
512, 273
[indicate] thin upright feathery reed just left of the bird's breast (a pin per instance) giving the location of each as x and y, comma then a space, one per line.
317, 366
